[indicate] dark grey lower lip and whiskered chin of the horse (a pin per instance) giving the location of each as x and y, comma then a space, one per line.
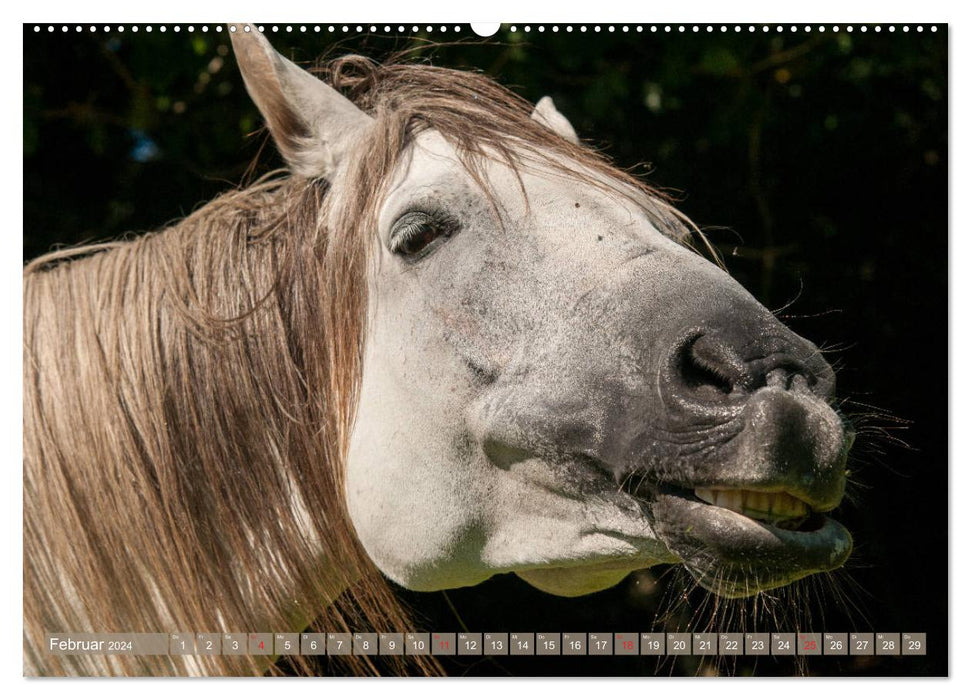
736, 556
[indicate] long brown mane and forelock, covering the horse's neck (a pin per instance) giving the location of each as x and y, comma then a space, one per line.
189, 395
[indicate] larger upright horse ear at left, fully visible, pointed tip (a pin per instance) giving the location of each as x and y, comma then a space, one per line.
312, 124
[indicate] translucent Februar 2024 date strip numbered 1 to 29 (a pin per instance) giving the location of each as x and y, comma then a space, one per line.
496, 644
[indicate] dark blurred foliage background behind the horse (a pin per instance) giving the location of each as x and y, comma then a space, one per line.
816, 162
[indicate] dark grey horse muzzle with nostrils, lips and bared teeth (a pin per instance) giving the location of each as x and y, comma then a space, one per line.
753, 517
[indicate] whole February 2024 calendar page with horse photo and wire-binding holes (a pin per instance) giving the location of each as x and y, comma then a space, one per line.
521, 349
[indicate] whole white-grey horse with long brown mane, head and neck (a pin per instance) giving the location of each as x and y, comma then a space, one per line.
448, 341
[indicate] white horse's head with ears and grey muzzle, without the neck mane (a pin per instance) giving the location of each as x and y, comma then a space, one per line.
554, 384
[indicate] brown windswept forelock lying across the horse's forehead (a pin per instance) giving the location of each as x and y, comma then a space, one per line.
483, 121
